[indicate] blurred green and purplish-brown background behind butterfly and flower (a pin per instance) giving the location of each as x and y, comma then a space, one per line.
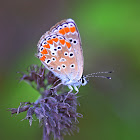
110, 33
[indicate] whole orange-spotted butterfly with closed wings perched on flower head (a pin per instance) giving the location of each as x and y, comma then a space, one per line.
60, 51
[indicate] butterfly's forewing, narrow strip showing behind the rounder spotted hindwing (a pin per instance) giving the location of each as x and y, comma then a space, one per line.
69, 30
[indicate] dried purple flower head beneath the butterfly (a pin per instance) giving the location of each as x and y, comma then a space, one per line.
57, 113
